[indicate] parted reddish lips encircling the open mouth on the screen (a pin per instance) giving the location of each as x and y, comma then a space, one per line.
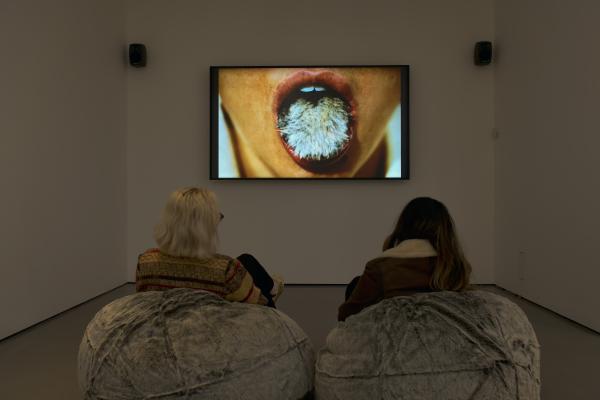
319, 77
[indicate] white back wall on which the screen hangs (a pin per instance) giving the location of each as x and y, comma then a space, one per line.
313, 232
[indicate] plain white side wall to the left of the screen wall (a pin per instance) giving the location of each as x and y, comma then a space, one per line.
62, 156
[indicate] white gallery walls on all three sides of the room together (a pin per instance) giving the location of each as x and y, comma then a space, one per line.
90, 148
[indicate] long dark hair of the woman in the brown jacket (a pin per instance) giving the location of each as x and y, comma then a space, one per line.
429, 219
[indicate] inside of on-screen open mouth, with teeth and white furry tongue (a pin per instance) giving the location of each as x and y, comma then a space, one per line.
314, 122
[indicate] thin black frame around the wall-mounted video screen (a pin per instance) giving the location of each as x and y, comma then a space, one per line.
214, 123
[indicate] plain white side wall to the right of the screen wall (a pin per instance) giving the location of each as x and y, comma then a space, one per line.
547, 163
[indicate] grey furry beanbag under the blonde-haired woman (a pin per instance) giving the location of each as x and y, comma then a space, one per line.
186, 344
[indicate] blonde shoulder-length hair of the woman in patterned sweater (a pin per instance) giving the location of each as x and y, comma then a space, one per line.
188, 224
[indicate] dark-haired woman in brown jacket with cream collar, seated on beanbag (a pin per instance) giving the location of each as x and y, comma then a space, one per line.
422, 254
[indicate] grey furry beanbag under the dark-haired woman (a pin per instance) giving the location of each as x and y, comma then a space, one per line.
443, 345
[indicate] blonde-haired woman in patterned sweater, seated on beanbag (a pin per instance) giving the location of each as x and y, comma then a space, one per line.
187, 257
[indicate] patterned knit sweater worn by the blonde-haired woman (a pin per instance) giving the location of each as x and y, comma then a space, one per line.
219, 274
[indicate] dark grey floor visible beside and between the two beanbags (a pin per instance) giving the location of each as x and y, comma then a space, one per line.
41, 363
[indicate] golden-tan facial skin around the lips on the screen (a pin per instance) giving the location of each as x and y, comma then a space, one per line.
248, 97
